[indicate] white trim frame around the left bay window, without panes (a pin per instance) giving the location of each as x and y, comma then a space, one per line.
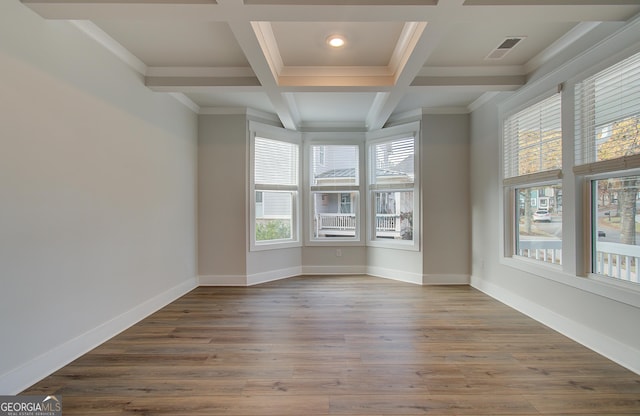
256, 129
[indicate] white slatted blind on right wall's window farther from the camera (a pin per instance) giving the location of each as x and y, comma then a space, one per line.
532, 142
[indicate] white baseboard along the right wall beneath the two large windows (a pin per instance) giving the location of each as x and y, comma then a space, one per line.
623, 354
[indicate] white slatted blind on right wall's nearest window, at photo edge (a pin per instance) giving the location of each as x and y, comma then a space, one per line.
608, 119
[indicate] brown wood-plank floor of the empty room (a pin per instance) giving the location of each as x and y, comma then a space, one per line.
345, 345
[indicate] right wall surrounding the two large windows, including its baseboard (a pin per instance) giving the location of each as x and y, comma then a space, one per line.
601, 316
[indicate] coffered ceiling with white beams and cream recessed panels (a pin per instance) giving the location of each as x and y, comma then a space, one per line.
223, 56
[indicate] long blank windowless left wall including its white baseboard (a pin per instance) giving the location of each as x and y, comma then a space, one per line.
98, 191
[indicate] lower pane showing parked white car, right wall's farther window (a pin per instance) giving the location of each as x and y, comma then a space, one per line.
539, 223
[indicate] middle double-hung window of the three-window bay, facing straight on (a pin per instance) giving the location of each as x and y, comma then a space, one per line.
334, 192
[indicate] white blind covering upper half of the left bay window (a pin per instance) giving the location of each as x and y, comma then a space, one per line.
276, 164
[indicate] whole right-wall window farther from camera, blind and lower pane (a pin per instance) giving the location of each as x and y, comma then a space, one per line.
532, 162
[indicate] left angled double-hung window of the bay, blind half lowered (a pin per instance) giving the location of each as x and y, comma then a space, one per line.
275, 188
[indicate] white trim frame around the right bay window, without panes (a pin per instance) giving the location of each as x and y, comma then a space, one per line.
401, 131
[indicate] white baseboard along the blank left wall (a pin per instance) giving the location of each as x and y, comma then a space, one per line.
18, 379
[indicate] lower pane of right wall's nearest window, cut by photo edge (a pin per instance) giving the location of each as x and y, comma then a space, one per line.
615, 228
